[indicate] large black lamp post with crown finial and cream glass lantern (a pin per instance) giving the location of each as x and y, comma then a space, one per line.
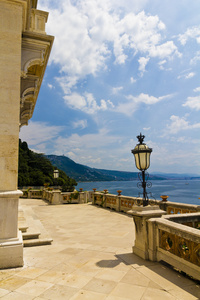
142, 161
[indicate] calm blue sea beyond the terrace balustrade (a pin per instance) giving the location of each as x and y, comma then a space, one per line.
181, 191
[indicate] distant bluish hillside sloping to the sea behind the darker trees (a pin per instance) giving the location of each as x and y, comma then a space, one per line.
83, 173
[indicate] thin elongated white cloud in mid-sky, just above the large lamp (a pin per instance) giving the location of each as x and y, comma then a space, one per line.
133, 103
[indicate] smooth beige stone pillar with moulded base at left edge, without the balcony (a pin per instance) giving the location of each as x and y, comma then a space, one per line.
11, 18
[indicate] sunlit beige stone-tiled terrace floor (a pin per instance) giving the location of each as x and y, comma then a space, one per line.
90, 258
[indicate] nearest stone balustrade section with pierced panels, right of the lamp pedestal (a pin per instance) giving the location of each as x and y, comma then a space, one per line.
172, 239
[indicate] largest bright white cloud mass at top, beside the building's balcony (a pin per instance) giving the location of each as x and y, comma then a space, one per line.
89, 32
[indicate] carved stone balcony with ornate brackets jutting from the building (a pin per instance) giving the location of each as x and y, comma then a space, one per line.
35, 53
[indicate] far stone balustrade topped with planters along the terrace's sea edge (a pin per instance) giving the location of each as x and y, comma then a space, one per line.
104, 199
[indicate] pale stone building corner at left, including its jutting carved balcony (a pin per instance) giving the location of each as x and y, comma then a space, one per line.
24, 53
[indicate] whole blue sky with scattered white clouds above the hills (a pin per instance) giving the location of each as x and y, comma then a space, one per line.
118, 68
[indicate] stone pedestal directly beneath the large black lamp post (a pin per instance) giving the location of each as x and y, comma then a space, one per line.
141, 215
